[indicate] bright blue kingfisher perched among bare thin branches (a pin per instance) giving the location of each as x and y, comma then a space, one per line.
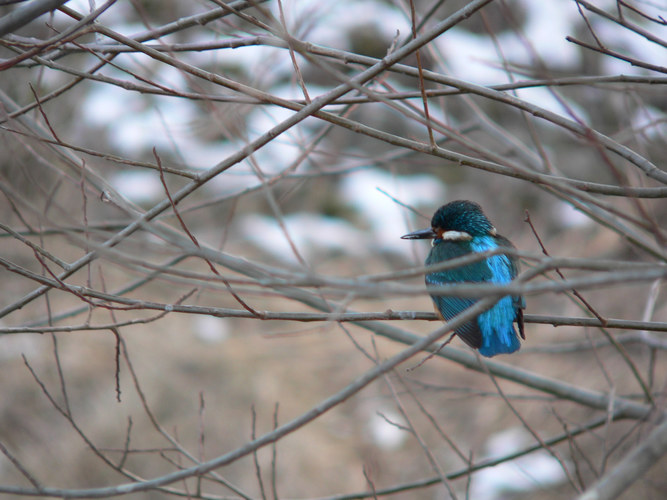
460, 228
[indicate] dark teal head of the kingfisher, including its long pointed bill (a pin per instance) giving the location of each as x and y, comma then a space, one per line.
456, 221
